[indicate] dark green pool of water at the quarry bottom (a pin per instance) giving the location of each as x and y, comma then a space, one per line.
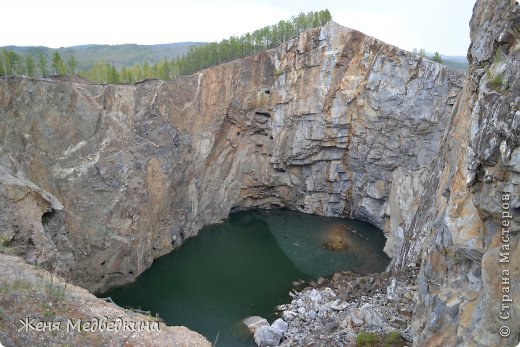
245, 266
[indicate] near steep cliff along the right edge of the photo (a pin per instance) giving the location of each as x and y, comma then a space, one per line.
467, 227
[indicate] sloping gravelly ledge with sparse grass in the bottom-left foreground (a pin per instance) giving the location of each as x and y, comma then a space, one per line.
40, 309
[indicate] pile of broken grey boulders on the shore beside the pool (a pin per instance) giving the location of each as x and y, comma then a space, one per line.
343, 310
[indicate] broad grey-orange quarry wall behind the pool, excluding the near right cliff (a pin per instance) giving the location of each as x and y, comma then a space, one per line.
333, 123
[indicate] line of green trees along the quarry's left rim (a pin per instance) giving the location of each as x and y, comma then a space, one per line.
198, 58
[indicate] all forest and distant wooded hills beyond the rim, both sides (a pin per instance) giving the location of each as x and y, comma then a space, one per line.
132, 63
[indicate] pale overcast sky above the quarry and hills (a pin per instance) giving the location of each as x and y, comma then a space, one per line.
435, 25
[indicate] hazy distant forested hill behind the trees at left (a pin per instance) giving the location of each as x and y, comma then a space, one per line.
118, 55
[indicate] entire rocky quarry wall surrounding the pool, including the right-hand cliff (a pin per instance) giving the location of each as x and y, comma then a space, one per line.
99, 180
